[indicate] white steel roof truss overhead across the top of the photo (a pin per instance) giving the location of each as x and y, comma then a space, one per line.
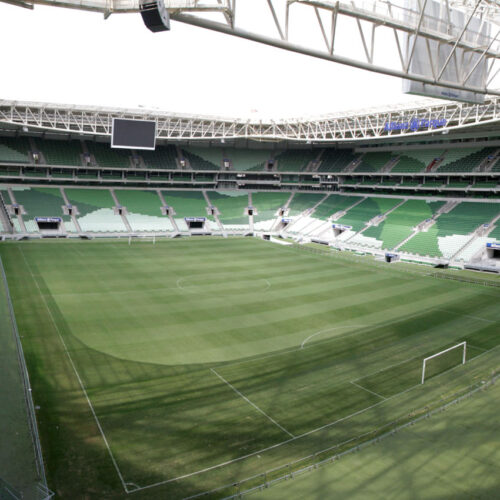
374, 35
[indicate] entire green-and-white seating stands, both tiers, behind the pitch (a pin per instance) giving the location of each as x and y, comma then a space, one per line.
427, 204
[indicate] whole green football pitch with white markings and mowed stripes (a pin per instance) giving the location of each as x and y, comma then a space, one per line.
165, 370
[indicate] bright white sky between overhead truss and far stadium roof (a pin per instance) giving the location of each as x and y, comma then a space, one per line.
65, 56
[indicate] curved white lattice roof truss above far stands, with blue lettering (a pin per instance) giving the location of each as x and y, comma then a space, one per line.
358, 126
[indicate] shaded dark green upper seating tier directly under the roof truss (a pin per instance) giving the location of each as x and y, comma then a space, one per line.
79, 153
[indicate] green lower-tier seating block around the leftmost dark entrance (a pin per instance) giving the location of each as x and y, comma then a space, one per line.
38, 202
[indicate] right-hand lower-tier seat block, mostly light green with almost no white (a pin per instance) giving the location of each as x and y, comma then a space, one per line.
400, 223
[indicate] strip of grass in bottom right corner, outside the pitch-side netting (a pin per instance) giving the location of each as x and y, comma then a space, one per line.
455, 455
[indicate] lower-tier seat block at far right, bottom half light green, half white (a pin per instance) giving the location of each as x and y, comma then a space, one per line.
451, 230
